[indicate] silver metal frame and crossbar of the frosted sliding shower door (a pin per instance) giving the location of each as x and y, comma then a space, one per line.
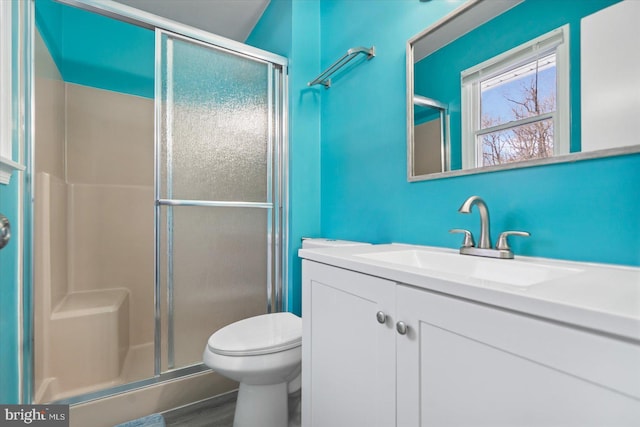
274, 191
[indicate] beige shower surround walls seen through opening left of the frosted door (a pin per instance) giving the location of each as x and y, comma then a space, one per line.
97, 148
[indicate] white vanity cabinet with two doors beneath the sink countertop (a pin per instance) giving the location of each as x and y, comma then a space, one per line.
459, 363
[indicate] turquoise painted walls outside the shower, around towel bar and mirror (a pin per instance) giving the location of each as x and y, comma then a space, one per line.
347, 163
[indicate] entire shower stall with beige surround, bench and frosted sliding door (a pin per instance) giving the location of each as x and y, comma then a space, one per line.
158, 176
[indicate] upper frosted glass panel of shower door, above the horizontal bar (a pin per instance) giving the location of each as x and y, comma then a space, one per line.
215, 124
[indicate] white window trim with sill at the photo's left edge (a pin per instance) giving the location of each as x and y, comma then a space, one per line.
7, 165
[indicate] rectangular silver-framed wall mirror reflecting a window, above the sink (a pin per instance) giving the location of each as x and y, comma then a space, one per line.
453, 62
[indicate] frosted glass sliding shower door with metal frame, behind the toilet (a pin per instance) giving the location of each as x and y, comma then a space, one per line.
218, 193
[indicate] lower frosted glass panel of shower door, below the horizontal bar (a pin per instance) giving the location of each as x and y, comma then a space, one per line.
219, 272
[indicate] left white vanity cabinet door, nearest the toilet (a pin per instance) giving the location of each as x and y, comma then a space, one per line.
348, 357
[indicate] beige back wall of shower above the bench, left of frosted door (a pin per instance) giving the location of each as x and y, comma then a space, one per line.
110, 175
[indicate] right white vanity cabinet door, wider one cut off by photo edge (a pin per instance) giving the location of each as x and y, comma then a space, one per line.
467, 364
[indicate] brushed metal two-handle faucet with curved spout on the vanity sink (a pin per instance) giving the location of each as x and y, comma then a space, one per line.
502, 249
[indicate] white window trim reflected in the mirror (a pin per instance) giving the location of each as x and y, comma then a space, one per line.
470, 84
